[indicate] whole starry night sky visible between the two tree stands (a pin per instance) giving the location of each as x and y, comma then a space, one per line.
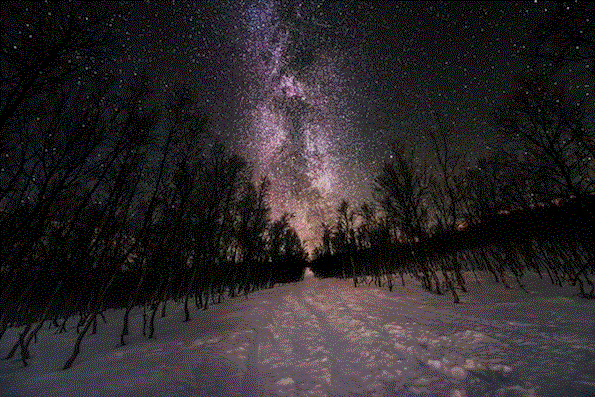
311, 94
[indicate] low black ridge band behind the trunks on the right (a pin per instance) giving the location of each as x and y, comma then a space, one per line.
554, 241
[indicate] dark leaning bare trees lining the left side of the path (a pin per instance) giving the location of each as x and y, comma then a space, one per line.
115, 194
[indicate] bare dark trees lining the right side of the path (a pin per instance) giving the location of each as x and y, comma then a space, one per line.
527, 205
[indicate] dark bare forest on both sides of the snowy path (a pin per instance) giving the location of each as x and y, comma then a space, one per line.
116, 194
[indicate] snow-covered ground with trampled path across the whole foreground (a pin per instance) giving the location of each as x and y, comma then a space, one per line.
325, 338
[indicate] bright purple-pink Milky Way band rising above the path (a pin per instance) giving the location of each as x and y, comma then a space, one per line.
295, 123
